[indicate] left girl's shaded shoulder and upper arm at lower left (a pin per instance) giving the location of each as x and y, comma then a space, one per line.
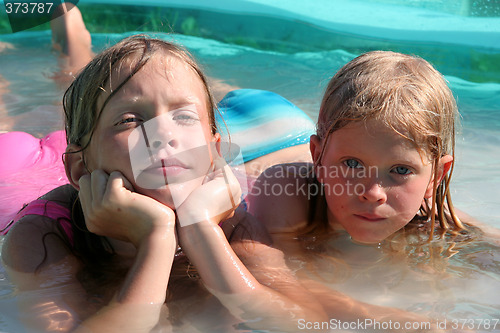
37, 258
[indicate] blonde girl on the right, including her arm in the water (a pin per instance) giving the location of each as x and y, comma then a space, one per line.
382, 162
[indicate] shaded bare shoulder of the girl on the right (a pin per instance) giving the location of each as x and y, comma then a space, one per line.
279, 197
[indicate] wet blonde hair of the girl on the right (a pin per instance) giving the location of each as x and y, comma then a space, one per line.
410, 97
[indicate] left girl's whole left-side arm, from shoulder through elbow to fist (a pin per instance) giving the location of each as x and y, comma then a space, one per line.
110, 210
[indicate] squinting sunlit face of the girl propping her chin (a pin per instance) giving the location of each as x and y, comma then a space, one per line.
155, 130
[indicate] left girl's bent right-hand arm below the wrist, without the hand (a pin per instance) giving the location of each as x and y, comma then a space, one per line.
248, 295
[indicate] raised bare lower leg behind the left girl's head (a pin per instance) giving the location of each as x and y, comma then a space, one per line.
71, 38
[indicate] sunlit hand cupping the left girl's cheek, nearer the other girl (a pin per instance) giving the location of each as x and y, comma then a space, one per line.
215, 199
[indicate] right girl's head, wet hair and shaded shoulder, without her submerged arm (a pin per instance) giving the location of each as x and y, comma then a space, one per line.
383, 155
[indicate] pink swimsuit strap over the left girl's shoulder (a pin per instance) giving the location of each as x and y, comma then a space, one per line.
49, 209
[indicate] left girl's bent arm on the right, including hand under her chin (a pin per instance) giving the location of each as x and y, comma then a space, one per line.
224, 274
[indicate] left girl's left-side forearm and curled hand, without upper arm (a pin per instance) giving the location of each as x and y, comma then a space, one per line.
111, 209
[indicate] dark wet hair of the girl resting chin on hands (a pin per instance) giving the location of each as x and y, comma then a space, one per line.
82, 109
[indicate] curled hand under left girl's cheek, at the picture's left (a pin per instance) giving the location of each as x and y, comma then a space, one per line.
111, 208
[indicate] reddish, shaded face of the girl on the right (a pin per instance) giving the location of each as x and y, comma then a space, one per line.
374, 180
